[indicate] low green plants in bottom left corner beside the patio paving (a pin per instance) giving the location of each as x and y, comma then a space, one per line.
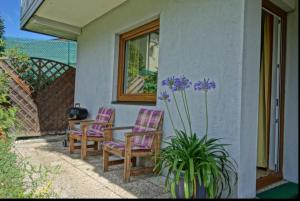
20, 179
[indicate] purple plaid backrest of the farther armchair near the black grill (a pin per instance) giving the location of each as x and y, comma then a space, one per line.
105, 115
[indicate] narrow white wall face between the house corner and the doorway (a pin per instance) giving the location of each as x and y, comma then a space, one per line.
249, 98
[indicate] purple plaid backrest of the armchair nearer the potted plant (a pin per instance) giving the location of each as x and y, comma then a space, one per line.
147, 120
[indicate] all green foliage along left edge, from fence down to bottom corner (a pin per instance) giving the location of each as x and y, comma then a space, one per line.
18, 178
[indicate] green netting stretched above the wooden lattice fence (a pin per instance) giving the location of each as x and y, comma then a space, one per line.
63, 51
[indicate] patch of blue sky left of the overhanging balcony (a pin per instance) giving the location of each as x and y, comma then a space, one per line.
10, 13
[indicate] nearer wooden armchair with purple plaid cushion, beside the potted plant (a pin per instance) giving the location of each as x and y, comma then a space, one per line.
143, 140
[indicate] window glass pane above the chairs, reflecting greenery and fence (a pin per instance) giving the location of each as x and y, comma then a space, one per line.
141, 64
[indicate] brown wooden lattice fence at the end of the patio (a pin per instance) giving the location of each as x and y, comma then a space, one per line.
42, 100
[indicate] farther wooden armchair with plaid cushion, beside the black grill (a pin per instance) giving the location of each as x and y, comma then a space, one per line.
91, 130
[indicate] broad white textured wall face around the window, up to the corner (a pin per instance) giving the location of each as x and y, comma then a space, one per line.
200, 39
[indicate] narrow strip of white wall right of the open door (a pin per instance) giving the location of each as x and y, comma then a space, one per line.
291, 130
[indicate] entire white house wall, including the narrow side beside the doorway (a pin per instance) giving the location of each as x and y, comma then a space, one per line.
198, 39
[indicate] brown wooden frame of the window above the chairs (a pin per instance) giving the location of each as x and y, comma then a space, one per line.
142, 30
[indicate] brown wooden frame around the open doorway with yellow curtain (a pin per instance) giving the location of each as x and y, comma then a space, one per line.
274, 177
